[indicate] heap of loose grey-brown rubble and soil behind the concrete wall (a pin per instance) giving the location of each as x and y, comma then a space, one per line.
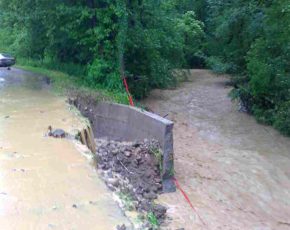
132, 171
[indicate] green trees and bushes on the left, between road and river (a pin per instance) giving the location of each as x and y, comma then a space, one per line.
102, 40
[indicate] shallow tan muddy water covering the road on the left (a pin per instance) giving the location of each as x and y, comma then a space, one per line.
46, 183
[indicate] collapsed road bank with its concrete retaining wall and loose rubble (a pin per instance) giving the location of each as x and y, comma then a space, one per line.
134, 155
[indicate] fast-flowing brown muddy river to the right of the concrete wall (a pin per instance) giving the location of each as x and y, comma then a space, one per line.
235, 171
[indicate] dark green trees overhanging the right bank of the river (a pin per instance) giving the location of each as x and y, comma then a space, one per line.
251, 39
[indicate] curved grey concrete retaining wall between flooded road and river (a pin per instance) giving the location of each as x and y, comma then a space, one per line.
125, 123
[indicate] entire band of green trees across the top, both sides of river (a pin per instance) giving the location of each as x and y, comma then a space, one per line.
100, 41
